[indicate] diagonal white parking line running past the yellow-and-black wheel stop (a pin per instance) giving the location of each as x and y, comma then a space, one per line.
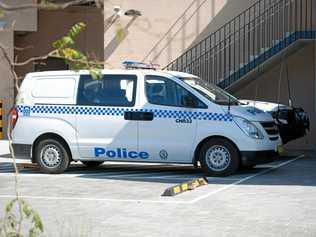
243, 180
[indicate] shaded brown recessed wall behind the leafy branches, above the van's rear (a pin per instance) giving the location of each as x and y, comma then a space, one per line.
55, 24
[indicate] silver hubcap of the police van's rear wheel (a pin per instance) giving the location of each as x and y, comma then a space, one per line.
51, 156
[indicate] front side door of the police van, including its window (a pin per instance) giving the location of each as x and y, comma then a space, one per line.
169, 136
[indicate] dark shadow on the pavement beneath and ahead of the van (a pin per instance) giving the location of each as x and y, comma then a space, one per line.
299, 173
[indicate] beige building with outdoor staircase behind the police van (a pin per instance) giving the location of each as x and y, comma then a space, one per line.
205, 37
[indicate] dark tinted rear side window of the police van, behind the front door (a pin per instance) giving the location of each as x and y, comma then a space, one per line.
112, 90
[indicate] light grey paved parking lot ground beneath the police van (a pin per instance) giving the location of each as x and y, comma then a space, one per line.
124, 199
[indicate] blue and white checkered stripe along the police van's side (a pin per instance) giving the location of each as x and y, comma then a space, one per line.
89, 110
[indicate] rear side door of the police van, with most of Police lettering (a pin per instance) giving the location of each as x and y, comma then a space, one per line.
102, 131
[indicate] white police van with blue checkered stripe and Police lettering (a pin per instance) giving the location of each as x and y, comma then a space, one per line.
137, 115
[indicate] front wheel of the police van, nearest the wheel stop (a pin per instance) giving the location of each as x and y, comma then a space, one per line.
219, 157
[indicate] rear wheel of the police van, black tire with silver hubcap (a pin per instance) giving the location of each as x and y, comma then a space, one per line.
51, 156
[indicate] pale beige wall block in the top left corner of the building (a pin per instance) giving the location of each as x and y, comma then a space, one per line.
24, 20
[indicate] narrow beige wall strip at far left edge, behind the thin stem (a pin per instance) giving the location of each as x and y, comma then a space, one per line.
6, 78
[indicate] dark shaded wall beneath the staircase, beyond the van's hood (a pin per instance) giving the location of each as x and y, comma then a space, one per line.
301, 66
